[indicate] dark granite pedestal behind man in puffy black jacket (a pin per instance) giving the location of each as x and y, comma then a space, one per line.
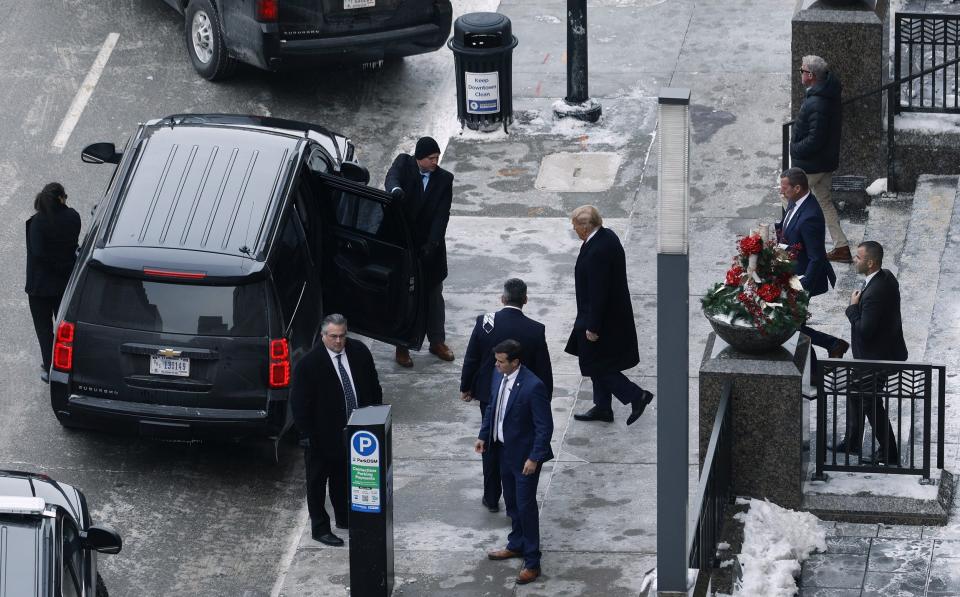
852, 41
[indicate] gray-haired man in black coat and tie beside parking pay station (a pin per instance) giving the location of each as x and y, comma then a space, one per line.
329, 383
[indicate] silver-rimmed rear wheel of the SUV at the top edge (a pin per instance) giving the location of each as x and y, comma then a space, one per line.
205, 44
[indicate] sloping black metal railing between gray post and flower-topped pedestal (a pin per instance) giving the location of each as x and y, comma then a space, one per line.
714, 489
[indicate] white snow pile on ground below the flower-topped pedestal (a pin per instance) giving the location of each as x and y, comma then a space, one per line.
775, 541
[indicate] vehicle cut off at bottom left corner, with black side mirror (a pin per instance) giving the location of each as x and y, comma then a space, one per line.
48, 545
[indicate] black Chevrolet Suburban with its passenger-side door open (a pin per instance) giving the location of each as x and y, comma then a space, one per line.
218, 247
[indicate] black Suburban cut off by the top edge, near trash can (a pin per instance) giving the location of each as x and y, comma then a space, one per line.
277, 34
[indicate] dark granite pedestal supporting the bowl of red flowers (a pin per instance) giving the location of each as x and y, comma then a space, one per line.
770, 416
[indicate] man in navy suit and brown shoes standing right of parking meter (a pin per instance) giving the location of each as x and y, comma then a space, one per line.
518, 424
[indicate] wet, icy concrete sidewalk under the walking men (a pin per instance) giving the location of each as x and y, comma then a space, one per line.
598, 498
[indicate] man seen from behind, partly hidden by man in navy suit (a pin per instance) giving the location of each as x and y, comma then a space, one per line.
478, 365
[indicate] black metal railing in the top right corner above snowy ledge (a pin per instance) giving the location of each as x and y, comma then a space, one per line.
924, 40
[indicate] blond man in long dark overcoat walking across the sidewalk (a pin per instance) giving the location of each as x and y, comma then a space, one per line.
604, 334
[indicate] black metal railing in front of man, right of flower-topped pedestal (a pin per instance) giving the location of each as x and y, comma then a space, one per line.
896, 399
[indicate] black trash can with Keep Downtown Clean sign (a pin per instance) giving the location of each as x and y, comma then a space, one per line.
482, 45
